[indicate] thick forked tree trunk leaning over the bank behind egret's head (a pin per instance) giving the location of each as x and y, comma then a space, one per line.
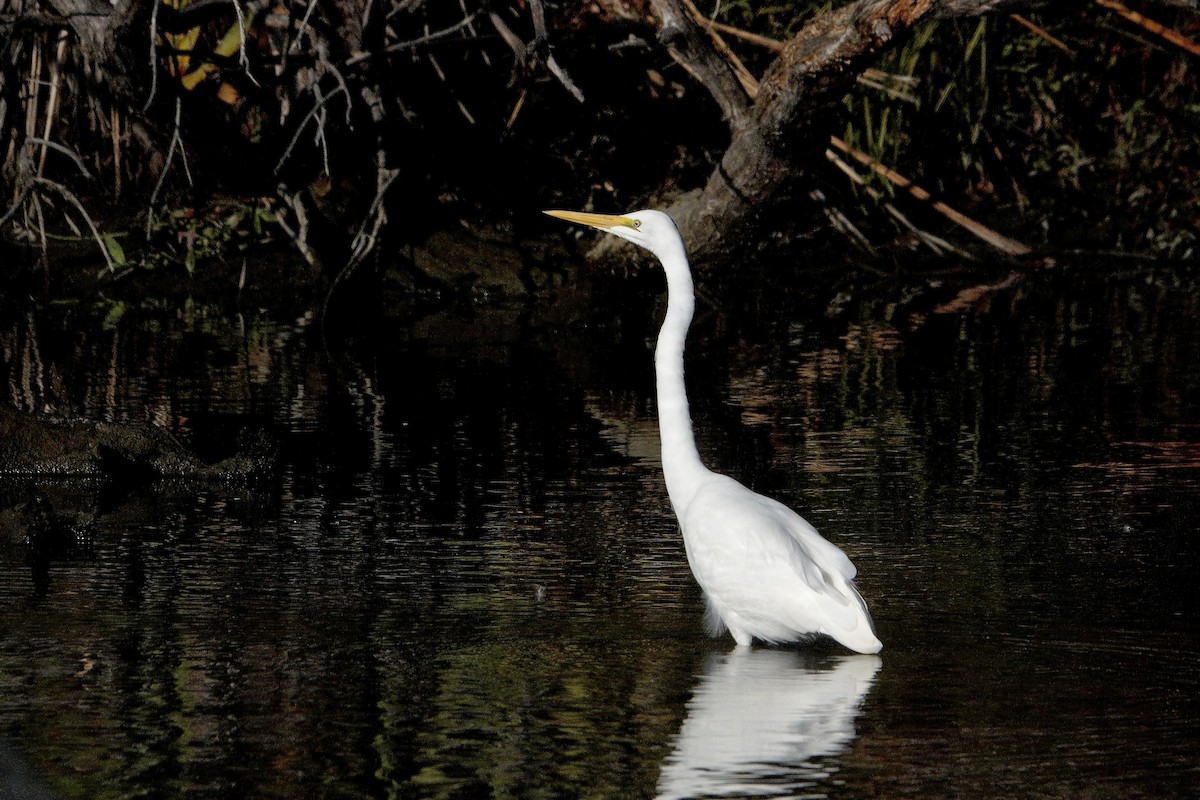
775, 137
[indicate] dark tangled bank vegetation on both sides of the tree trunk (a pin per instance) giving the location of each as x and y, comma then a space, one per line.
1072, 130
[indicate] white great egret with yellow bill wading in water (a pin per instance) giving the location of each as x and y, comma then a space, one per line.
766, 573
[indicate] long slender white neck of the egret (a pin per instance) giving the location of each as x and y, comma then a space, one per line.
682, 467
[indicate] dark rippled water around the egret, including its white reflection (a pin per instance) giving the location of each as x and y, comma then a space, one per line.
465, 580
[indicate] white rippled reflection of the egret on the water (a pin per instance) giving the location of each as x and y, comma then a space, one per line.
765, 723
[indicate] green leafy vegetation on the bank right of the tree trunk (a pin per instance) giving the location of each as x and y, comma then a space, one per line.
1083, 136
